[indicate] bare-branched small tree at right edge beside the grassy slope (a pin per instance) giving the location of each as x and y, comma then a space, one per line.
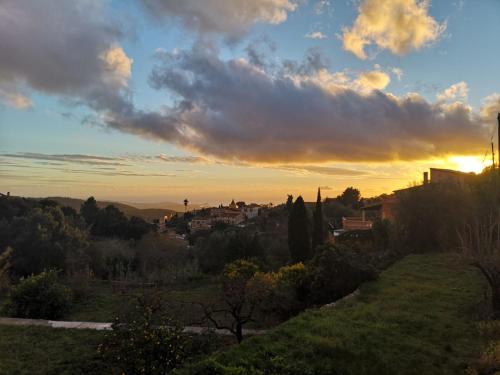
480, 242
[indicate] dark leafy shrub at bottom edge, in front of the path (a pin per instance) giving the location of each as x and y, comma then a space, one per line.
145, 344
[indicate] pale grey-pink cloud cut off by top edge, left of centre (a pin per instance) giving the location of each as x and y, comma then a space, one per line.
230, 18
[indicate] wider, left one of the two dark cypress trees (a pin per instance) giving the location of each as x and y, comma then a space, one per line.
299, 241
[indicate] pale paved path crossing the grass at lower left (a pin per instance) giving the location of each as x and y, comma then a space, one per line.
107, 326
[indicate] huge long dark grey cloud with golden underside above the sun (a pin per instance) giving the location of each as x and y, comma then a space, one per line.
234, 110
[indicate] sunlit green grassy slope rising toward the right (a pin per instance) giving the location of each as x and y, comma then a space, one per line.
418, 318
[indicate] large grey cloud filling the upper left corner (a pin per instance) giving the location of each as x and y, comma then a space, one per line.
60, 47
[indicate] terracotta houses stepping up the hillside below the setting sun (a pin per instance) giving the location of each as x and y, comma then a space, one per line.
384, 209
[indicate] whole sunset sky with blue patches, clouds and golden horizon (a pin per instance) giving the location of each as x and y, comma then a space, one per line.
213, 100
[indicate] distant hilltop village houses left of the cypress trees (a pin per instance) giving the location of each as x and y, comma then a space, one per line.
233, 214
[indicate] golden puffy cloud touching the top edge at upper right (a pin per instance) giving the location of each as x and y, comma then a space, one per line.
396, 25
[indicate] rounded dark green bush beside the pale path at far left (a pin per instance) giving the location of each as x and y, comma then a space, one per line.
39, 296
